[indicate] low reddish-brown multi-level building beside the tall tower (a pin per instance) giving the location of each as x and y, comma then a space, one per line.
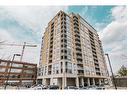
20, 73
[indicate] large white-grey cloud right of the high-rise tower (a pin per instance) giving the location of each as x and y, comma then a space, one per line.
114, 36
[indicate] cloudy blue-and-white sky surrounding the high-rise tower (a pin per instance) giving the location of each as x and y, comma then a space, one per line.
27, 24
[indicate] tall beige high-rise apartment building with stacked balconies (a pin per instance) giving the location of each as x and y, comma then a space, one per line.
71, 53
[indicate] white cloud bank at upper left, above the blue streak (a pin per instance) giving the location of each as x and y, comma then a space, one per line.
33, 19
